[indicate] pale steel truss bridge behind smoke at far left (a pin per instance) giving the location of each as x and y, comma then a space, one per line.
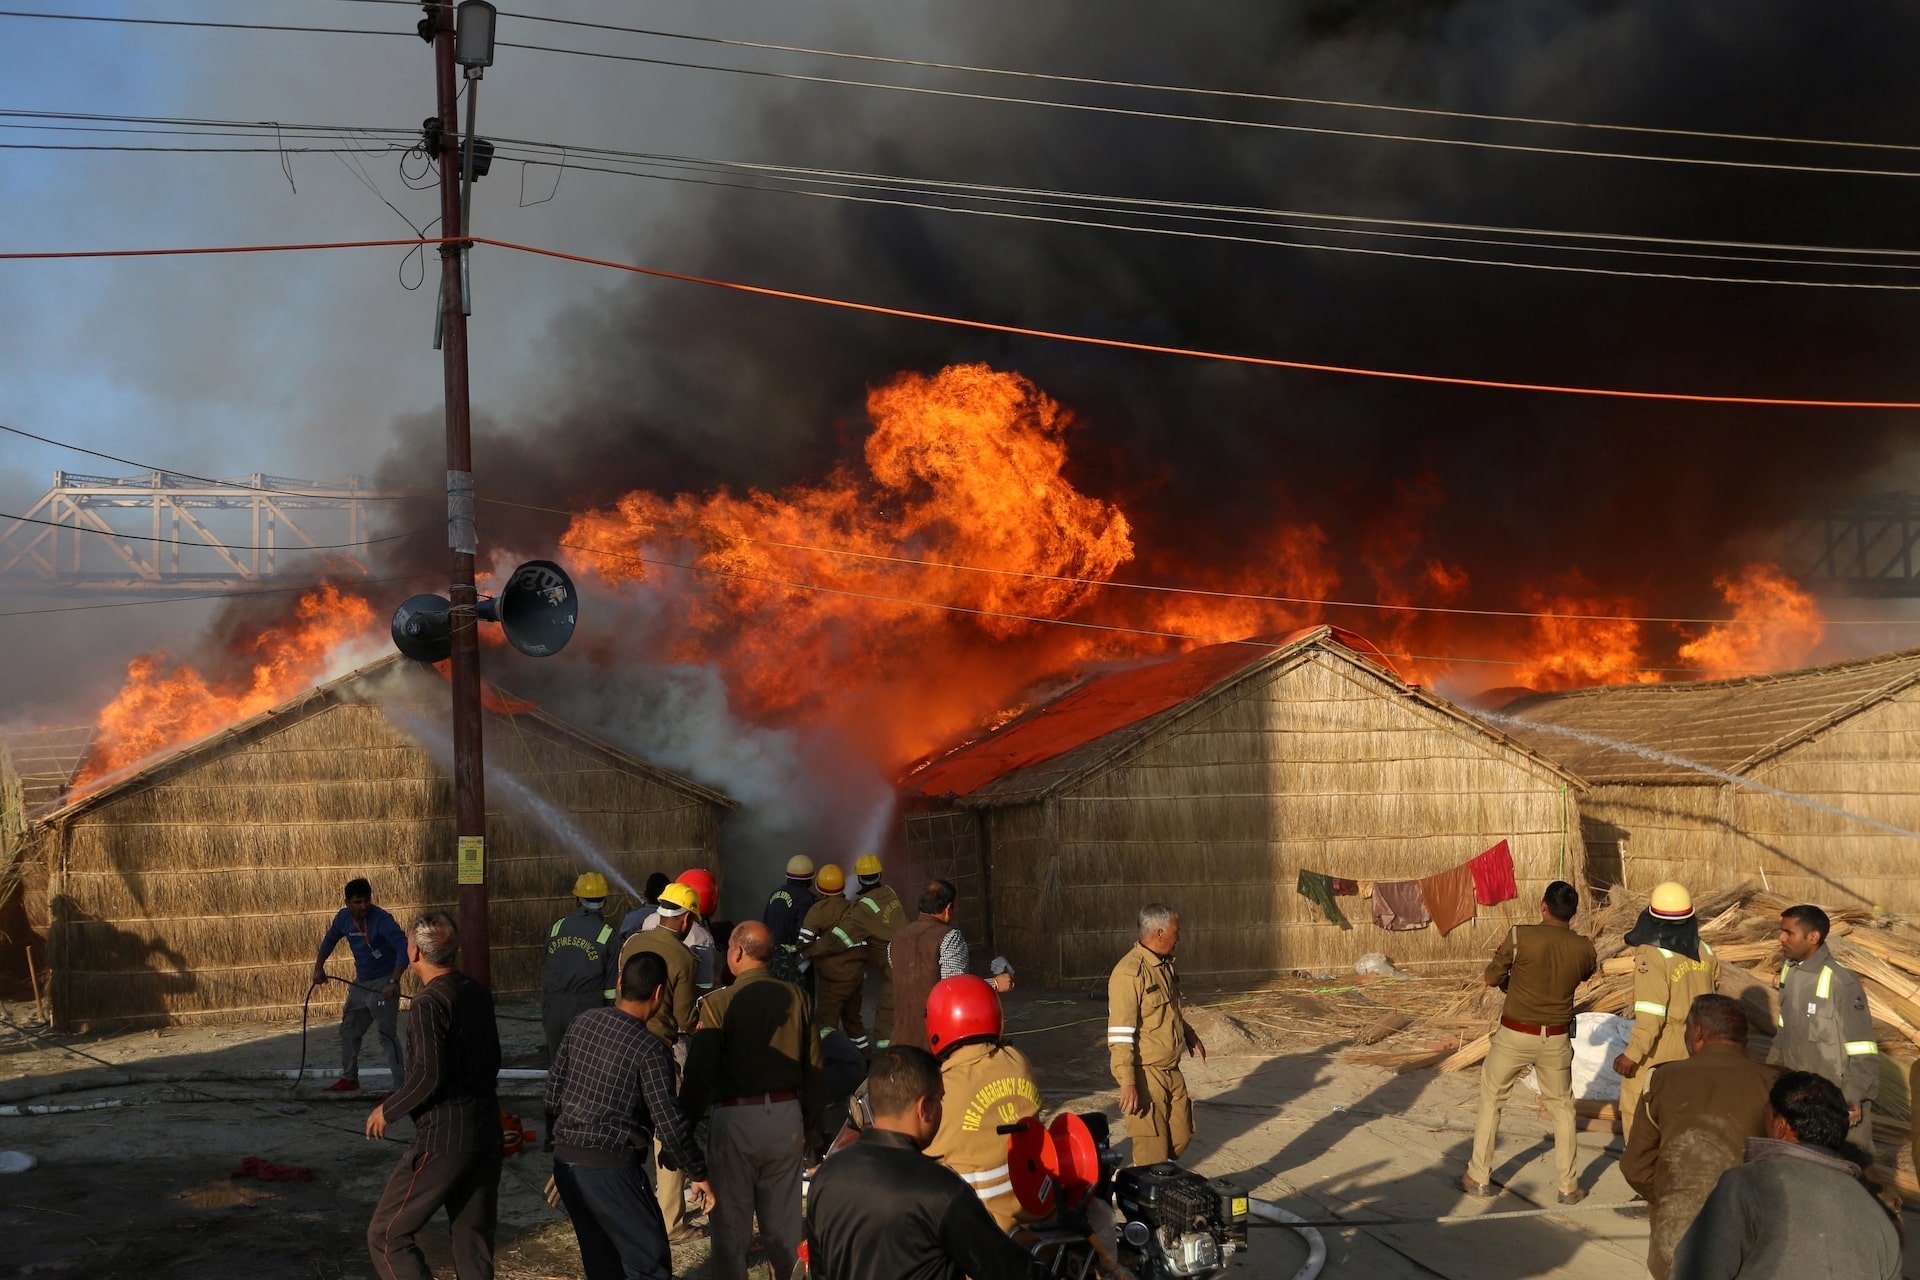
170, 533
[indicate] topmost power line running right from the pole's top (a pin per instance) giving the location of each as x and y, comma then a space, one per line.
1207, 93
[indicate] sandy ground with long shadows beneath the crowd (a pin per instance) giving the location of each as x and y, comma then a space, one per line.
145, 1189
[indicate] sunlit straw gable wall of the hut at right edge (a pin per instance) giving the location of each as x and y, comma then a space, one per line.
1704, 834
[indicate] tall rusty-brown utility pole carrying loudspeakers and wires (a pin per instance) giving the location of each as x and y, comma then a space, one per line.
469, 792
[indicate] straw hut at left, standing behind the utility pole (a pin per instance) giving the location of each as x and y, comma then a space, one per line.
199, 886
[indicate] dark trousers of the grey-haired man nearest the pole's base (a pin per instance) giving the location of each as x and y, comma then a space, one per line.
468, 1187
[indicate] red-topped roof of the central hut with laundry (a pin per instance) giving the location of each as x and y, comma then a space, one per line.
1092, 723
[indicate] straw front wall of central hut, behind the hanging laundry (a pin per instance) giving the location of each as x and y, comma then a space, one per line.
1318, 767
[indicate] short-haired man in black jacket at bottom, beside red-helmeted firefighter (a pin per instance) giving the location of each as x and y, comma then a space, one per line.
884, 1212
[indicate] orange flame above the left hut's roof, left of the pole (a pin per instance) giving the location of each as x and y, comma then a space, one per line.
166, 703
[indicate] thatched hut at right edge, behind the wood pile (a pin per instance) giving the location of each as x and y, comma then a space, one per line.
1842, 736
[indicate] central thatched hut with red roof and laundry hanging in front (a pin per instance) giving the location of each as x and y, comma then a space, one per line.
1211, 782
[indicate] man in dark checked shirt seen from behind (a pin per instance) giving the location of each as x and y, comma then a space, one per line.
610, 1091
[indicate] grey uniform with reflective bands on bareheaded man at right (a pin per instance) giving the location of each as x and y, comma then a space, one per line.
1825, 1028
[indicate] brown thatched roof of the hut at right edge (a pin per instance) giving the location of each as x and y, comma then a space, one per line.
1725, 724
